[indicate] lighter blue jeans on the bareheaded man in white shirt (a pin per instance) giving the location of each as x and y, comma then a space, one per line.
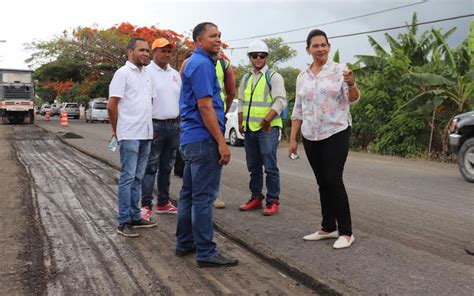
133, 158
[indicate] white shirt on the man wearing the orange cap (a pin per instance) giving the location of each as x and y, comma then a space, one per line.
167, 85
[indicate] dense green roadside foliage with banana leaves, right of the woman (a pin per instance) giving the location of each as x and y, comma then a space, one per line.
410, 92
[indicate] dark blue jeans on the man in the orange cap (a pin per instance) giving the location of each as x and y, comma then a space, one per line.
160, 162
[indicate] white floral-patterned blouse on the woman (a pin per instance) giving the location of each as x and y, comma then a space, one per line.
322, 102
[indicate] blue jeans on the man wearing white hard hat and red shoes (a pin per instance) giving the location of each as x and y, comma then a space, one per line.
260, 151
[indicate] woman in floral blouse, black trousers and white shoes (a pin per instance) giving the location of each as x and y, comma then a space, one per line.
321, 111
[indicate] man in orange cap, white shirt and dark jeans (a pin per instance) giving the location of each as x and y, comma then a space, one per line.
167, 84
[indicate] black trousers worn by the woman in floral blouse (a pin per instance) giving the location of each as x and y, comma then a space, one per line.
327, 158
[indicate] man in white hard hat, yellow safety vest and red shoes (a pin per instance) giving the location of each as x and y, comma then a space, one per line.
262, 98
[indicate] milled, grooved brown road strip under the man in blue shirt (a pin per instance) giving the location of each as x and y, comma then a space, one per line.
76, 198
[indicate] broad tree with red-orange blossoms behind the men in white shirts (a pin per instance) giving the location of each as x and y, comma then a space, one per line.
93, 55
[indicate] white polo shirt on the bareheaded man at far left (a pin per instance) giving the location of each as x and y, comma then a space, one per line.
135, 90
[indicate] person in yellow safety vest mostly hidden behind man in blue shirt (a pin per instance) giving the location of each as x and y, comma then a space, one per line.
225, 77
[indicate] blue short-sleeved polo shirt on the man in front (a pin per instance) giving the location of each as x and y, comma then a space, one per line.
199, 81
